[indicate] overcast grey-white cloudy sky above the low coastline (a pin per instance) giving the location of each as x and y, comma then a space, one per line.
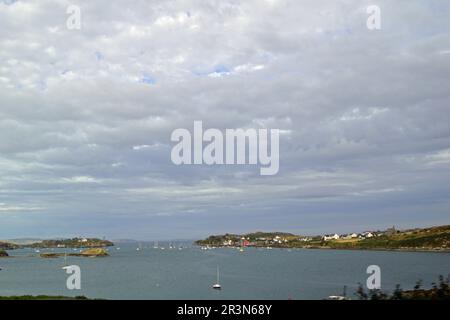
86, 116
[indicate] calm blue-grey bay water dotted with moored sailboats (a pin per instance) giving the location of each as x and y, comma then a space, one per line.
189, 273
